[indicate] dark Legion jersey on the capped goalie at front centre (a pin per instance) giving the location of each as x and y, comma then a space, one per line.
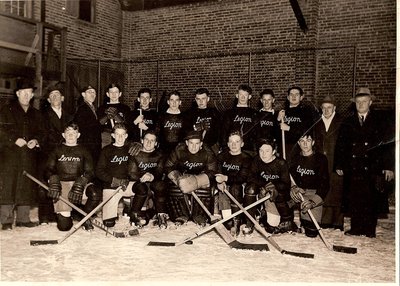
182, 160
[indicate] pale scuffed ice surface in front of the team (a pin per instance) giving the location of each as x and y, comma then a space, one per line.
89, 257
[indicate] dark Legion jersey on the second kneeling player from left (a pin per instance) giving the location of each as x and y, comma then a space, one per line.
113, 163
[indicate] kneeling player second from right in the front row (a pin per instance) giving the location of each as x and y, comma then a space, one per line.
270, 174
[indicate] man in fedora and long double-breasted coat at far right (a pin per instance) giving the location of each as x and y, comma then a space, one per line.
360, 160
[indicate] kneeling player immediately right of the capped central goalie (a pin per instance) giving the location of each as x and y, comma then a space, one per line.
233, 170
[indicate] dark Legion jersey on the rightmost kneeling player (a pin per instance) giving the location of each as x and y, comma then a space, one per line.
311, 172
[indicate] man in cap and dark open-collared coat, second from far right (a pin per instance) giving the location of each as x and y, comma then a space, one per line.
326, 133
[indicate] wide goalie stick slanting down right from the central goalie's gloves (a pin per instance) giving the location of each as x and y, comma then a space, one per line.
224, 233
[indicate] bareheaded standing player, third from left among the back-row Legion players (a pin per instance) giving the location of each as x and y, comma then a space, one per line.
170, 125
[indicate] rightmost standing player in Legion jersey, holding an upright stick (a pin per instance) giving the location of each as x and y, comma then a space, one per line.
296, 119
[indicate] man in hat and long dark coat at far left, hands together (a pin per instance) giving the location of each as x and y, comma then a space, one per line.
21, 135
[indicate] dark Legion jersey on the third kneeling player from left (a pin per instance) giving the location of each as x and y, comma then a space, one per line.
144, 162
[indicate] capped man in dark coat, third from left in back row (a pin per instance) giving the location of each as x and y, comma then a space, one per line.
89, 125
